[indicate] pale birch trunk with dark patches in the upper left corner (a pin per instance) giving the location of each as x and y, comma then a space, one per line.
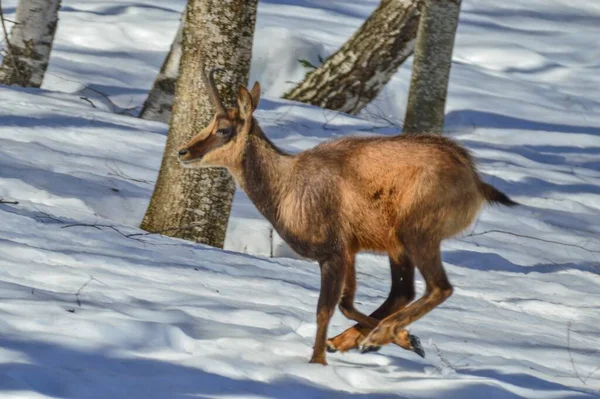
31, 40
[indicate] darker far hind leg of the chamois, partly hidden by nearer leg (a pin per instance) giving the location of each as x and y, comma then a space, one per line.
401, 294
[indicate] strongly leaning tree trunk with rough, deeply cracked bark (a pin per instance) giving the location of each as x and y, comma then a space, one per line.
353, 76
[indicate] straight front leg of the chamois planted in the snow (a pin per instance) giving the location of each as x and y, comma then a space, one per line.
332, 281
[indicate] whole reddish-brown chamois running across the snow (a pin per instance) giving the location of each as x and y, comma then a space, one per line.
401, 195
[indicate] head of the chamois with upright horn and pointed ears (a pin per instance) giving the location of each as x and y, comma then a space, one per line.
221, 141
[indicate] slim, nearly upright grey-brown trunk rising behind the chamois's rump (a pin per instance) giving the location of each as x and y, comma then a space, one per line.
431, 67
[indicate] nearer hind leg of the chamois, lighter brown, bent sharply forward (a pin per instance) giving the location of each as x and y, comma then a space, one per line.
427, 257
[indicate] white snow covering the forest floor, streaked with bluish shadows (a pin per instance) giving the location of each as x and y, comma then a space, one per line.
90, 308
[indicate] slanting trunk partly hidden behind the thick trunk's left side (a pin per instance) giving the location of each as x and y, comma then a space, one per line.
159, 104
